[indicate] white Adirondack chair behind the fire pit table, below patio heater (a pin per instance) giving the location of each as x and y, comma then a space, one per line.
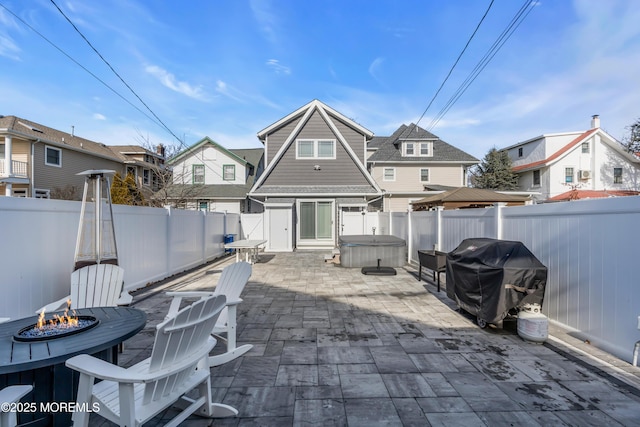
97, 285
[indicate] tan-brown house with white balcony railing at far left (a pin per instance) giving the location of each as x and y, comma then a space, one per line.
38, 161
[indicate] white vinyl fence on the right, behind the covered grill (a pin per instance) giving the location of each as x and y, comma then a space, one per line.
590, 248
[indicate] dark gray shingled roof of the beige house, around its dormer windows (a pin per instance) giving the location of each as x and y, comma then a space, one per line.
390, 149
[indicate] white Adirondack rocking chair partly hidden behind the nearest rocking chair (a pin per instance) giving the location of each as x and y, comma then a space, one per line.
231, 283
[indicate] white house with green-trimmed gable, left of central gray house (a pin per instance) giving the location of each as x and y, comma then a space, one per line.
207, 176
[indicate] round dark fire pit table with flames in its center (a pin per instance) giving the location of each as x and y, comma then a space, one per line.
41, 362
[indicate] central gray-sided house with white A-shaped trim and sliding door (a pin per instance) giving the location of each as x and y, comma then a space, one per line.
315, 171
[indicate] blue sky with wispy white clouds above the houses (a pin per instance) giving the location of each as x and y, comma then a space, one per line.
229, 68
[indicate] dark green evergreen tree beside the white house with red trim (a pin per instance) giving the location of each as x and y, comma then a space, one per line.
495, 173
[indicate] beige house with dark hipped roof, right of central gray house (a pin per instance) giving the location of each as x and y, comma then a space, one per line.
407, 164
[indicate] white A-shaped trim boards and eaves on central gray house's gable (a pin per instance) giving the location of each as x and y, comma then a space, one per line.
304, 114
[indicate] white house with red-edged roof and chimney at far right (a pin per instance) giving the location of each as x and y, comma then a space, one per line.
553, 164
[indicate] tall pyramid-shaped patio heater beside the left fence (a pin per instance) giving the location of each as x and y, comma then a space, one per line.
96, 241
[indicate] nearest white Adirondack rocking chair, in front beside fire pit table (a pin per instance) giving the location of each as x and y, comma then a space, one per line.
178, 364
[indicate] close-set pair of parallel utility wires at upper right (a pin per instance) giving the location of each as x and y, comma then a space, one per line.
522, 13
